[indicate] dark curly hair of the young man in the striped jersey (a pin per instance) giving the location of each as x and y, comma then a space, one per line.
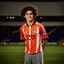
27, 8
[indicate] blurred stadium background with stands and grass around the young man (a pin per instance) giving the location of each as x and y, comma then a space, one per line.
51, 14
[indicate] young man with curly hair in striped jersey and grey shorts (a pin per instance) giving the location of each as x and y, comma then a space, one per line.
34, 34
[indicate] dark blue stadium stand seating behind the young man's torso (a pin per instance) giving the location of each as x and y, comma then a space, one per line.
11, 33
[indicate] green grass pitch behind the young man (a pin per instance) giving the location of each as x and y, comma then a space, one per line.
15, 54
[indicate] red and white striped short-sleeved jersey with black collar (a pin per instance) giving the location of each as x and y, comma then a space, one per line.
33, 36
